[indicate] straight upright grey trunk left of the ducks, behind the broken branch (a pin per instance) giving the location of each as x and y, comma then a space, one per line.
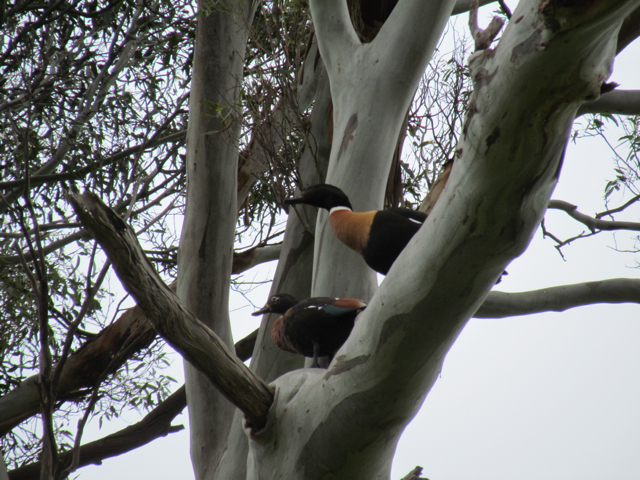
206, 244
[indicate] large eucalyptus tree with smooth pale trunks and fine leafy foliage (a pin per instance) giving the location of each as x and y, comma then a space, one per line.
275, 101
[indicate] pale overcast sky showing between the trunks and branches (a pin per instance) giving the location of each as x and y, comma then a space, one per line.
554, 396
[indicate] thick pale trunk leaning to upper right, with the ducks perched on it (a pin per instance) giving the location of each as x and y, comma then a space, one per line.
345, 422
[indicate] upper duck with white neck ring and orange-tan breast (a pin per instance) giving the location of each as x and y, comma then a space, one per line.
378, 236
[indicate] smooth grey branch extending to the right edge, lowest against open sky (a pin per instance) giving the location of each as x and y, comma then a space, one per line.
559, 299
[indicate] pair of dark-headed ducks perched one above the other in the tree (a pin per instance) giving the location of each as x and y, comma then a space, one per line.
317, 327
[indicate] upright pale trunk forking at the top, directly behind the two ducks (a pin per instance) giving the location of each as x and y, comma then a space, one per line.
371, 86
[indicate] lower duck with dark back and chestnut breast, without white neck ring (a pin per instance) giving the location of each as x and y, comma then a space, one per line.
315, 327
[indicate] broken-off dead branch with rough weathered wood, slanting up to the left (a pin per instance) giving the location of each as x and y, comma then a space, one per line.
181, 329
